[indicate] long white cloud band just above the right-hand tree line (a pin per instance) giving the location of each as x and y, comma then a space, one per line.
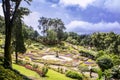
87, 27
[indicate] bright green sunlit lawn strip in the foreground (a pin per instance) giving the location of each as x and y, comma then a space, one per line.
51, 75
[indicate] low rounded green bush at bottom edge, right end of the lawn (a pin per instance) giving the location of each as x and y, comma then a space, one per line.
75, 75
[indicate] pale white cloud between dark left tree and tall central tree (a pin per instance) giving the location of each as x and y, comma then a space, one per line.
32, 19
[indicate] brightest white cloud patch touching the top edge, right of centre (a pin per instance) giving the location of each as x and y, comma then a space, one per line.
80, 3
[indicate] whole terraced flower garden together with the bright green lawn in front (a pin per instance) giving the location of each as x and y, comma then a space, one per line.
59, 58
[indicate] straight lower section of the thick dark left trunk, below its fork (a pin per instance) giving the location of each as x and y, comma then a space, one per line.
7, 52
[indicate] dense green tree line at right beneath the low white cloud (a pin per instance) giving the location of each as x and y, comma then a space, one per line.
109, 42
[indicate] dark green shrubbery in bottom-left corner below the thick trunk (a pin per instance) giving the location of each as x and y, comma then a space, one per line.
6, 74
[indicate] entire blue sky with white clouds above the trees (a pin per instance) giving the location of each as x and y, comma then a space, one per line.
81, 16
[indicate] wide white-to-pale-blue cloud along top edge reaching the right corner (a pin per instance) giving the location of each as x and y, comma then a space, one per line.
110, 5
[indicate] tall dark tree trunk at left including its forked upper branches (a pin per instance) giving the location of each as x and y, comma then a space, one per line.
9, 21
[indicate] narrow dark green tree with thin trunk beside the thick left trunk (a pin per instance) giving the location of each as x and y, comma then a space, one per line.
19, 41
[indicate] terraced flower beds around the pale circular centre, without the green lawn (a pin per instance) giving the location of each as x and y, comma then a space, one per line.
68, 58
